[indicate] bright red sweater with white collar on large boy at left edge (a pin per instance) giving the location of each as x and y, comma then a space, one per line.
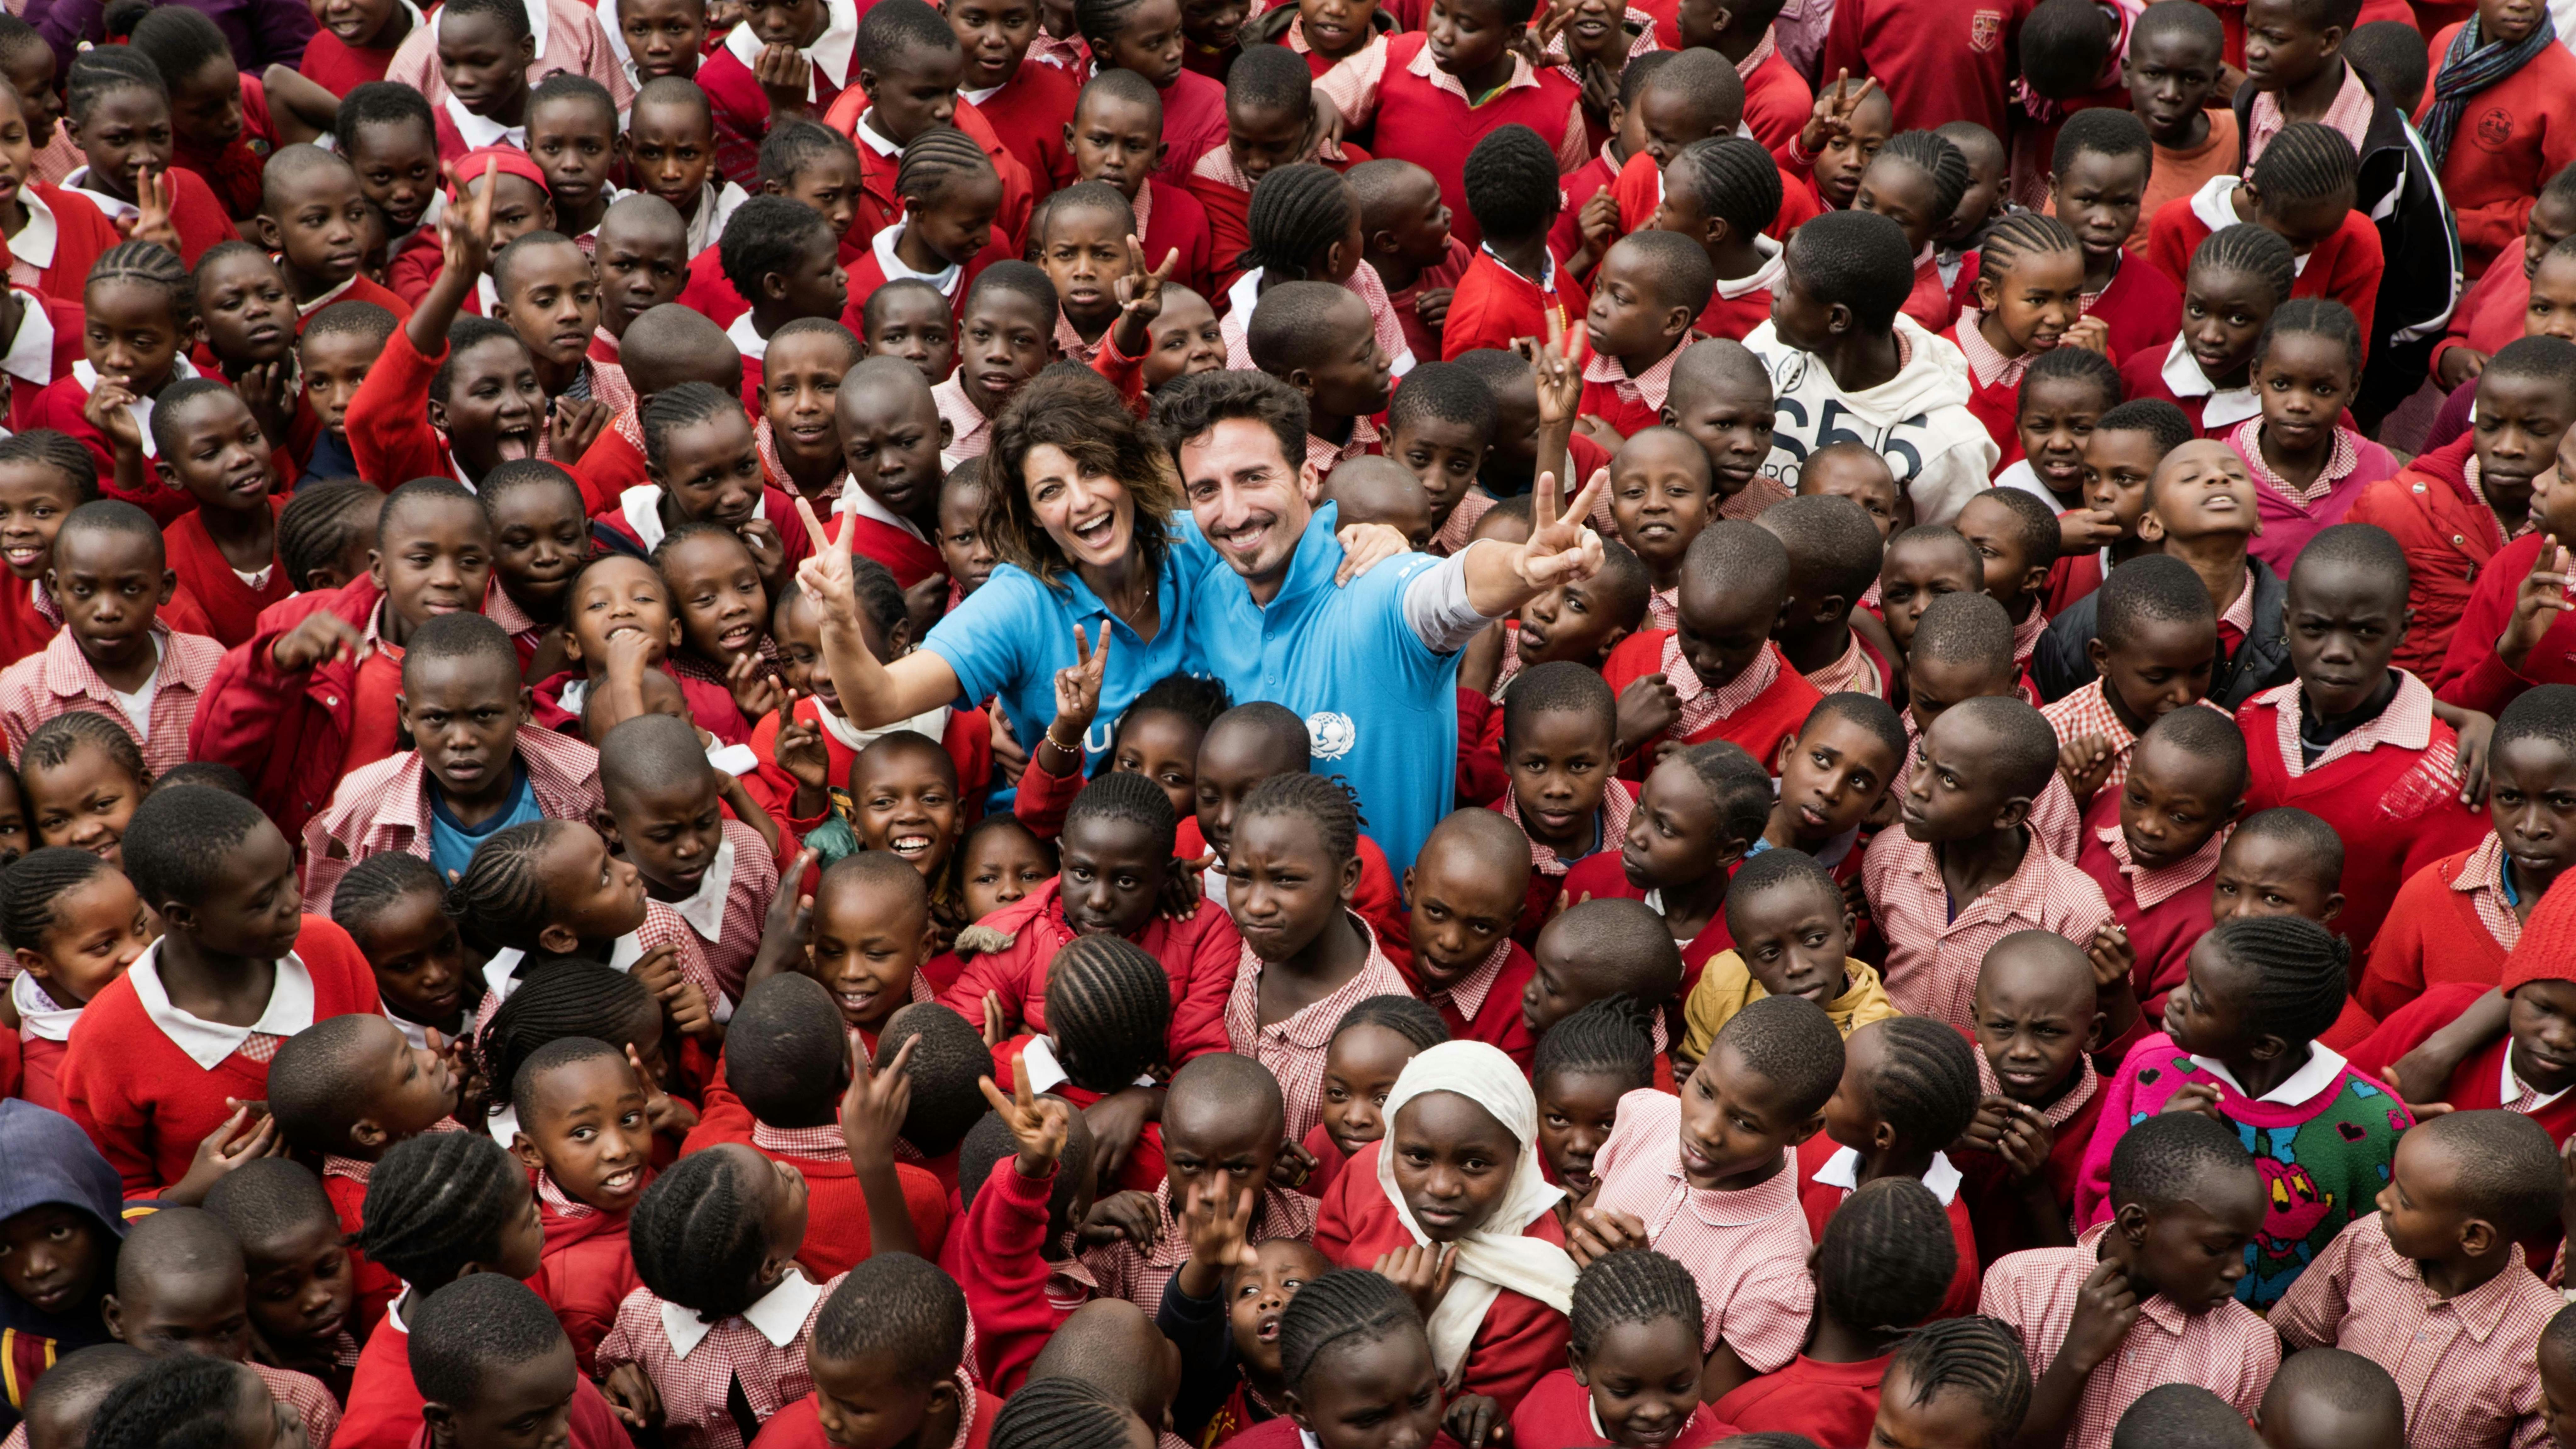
148, 1082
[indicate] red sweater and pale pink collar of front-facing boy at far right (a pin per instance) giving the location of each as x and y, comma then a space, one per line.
2387, 788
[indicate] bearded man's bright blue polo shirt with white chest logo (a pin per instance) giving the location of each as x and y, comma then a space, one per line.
1379, 705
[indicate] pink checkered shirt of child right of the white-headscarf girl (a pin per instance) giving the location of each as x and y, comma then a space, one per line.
1748, 1249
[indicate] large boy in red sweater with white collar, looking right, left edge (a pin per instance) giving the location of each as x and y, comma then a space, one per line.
171, 1051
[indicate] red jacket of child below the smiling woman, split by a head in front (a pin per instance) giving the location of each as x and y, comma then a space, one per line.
1199, 958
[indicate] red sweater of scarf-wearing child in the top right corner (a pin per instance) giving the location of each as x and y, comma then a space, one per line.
2513, 138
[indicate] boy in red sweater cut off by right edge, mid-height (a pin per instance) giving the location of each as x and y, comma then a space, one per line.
2464, 917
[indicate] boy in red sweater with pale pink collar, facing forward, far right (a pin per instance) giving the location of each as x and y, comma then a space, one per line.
2353, 739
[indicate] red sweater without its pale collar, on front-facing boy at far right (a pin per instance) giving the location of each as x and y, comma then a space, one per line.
2394, 808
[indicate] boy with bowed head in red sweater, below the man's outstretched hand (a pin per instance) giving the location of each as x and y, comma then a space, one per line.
1717, 677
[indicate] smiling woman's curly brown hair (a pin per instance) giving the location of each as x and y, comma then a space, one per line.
1081, 414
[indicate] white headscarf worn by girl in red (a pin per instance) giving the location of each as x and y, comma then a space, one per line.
1495, 1257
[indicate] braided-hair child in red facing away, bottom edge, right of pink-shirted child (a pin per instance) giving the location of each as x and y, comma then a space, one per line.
1882, 1270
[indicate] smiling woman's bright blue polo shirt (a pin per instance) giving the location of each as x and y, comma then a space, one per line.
1016, 633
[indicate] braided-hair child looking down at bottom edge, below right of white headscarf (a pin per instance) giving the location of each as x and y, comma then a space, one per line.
1637, 1363
